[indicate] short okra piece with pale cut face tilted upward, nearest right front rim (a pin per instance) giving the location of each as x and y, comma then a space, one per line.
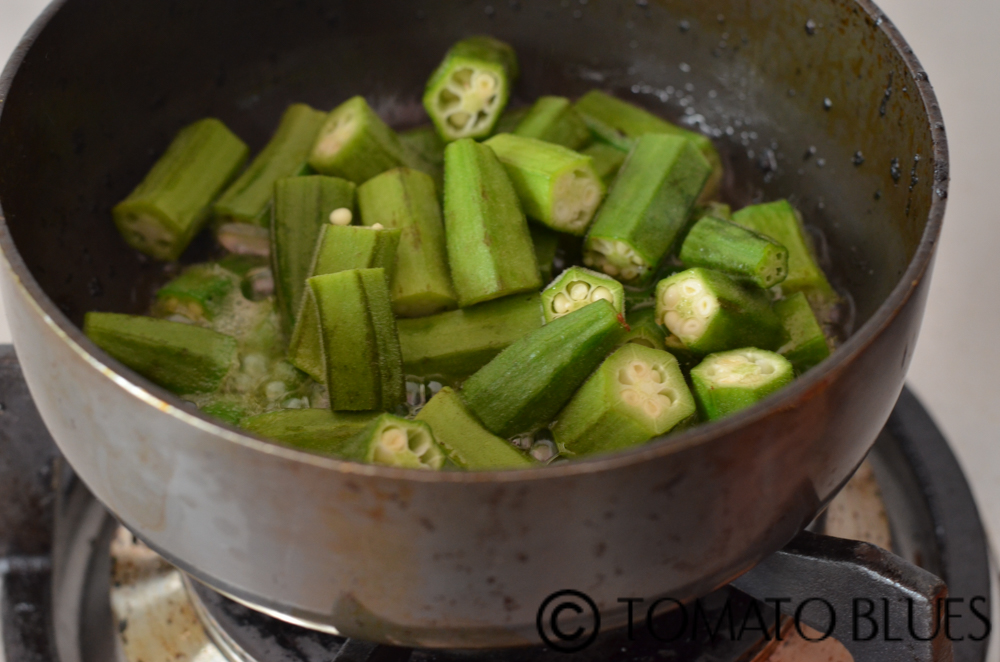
727, 382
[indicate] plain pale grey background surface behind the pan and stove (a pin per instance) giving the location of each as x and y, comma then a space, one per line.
956, 368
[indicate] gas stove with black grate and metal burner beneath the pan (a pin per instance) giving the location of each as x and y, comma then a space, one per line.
75, 586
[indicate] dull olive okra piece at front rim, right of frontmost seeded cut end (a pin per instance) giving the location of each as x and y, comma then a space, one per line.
465, 441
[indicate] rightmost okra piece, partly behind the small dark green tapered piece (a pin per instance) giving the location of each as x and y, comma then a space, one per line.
782, 223
